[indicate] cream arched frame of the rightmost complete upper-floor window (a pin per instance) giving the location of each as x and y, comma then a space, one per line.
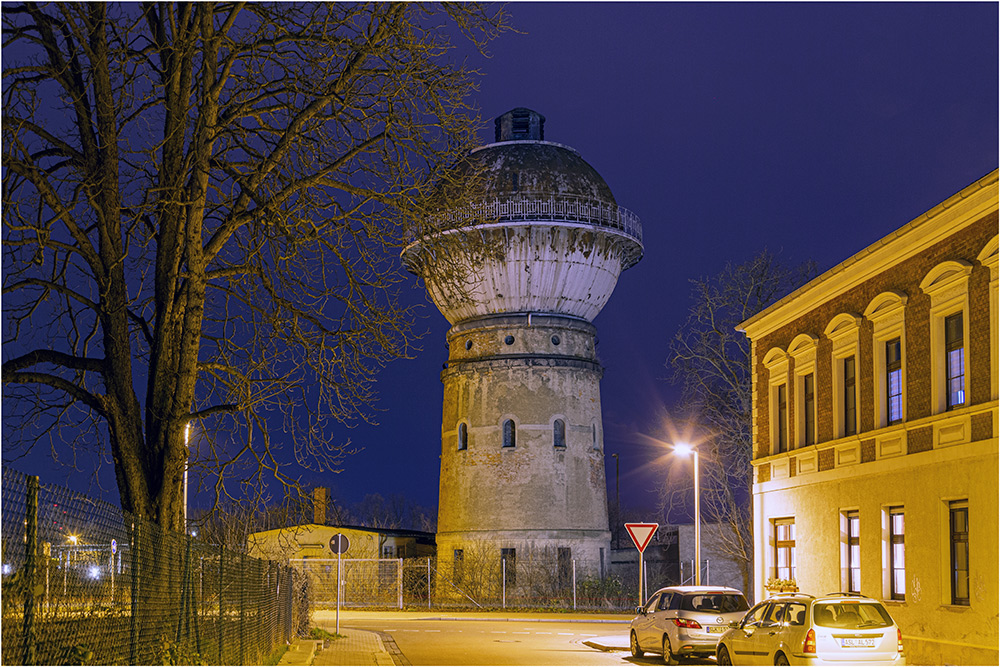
947, 284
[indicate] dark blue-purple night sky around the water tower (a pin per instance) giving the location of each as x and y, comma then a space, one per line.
810, 129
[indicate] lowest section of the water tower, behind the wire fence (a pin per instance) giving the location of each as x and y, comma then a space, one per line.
526, 567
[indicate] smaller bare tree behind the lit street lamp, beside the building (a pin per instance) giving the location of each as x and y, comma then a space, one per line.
712, 361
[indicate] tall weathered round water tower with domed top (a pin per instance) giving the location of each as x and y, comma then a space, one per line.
522, 446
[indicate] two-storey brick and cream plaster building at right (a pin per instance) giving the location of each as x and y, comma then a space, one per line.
875, 430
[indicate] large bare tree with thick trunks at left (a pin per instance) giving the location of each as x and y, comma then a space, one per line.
203, 208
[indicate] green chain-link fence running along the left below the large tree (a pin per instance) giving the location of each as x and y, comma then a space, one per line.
86, 583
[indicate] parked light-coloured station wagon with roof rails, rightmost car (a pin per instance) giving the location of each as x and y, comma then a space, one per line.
799, 629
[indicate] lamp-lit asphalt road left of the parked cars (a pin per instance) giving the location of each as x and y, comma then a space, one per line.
508, 642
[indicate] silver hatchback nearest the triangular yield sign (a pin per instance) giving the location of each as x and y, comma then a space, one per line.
685, 621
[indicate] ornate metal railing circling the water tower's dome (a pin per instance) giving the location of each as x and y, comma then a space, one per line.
563, 207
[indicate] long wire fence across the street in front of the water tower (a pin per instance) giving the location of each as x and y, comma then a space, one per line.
495, 584
